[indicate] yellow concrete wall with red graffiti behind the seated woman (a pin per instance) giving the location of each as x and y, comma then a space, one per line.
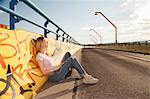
20, 76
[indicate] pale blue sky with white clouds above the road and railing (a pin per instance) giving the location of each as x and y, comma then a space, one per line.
76, 17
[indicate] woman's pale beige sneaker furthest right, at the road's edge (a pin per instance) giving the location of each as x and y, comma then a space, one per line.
90, 80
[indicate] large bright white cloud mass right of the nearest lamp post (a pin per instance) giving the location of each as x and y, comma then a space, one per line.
137, 26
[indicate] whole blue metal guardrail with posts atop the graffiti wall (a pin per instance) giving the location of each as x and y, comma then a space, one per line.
15, 17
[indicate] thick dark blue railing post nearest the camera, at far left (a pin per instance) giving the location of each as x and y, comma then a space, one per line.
12, 5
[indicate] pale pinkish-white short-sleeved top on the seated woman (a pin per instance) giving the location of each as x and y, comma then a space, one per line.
48, 65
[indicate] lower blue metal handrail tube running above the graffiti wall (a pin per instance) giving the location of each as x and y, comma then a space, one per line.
18, 15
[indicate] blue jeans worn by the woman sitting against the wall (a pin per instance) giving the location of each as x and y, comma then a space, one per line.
68, 64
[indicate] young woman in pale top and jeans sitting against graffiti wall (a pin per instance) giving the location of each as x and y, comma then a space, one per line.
57, 73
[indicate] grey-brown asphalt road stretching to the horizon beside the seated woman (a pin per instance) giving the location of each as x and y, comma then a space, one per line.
121, 75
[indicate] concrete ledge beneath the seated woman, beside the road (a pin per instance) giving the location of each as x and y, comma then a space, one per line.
60, 90
